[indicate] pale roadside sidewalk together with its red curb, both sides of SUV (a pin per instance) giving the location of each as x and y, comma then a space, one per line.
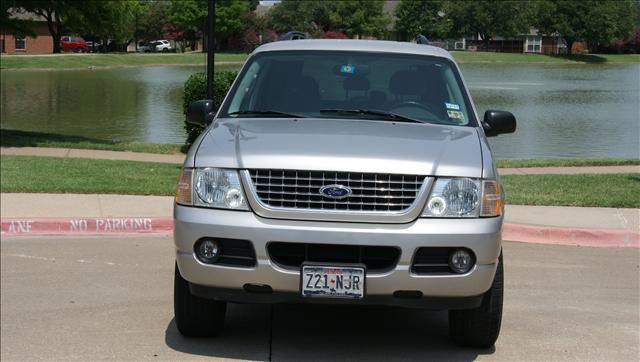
91, 214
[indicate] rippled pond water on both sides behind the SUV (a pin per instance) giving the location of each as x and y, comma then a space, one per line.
562, 110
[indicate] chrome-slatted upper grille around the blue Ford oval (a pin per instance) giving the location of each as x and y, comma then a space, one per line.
371, 192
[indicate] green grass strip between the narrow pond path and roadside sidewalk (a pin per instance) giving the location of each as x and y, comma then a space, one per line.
68, 175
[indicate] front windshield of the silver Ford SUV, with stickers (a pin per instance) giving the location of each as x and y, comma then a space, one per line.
344, 84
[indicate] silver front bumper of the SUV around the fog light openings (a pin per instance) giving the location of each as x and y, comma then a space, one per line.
482, 236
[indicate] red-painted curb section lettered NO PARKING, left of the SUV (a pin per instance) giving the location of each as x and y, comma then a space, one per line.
87, 226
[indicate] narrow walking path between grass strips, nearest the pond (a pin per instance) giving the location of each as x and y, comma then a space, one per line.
151, 157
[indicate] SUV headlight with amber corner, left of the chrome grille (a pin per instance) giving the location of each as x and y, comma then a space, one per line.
211, 187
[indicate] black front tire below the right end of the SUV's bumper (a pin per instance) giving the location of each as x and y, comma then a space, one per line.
480, 327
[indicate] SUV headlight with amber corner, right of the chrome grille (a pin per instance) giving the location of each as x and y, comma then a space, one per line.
464, 197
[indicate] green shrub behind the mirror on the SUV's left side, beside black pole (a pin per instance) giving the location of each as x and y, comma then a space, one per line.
195, 88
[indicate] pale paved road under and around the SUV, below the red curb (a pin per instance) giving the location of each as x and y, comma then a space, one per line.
111, 299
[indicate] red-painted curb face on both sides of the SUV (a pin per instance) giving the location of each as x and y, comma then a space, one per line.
608, 238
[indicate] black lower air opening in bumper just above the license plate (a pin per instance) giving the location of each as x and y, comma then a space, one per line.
377, 259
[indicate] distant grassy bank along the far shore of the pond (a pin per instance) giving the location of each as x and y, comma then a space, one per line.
83, 61
